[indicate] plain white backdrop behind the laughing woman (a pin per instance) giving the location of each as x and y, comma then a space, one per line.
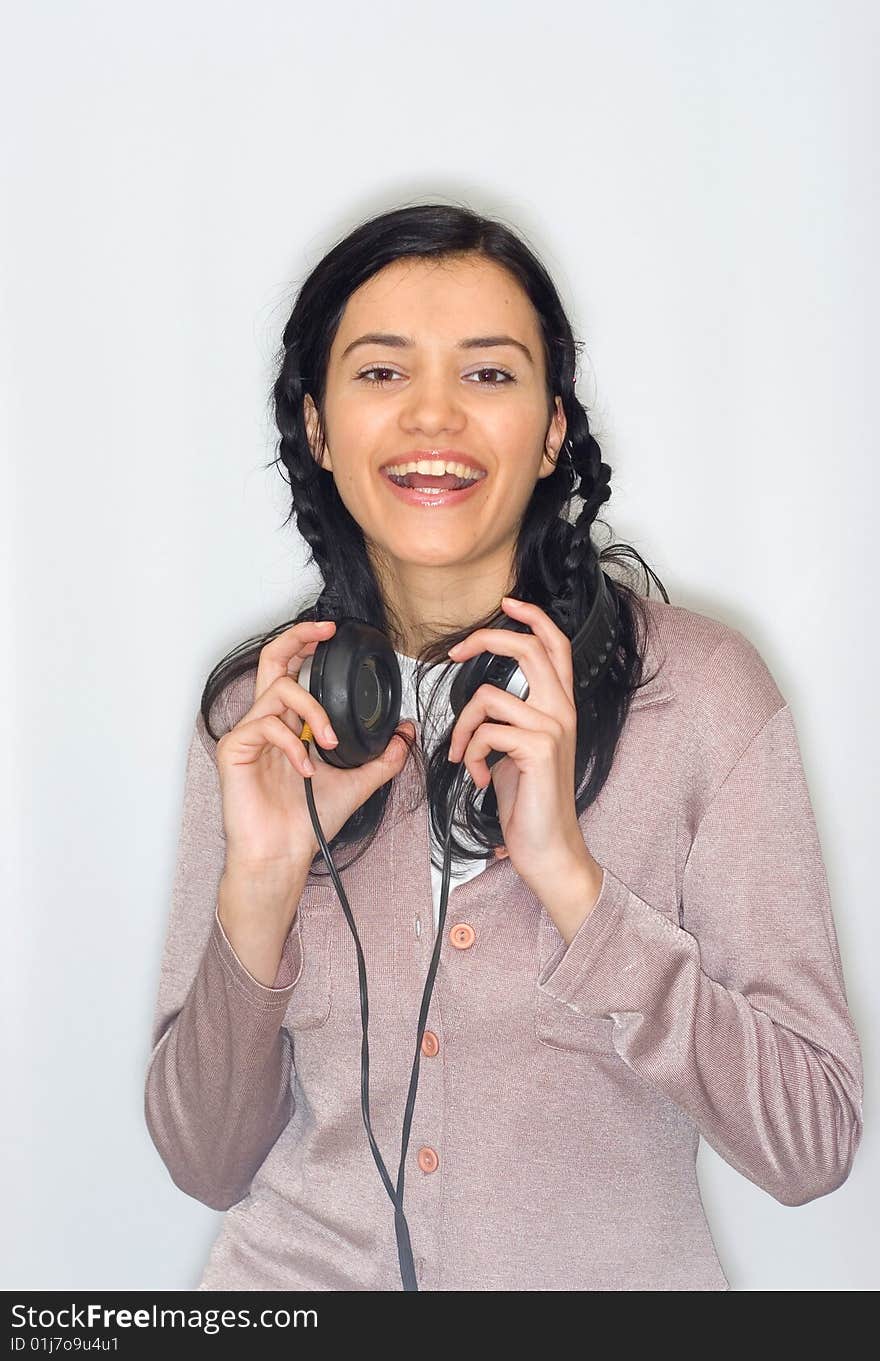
700, 178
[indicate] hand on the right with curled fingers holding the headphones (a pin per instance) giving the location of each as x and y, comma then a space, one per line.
535, 790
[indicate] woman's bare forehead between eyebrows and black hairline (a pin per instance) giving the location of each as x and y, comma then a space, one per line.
439, 301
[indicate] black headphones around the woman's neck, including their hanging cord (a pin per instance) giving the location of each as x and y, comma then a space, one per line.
357, 680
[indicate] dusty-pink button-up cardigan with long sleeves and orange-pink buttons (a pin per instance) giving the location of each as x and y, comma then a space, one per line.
562, 1091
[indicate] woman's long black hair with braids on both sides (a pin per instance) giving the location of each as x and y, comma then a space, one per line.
556, 563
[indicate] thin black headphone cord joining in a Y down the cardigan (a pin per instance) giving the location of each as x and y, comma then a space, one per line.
402, 1228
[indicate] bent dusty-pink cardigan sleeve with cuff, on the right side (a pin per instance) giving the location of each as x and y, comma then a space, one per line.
739, 1016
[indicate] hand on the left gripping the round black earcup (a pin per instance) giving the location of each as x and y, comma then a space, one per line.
262, 766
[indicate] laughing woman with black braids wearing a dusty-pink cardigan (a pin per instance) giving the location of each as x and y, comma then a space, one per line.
641, 948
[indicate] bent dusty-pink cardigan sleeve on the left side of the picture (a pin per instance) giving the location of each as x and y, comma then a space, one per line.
218, 1089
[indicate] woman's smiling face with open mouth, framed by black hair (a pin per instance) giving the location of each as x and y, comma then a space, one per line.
398, 401
